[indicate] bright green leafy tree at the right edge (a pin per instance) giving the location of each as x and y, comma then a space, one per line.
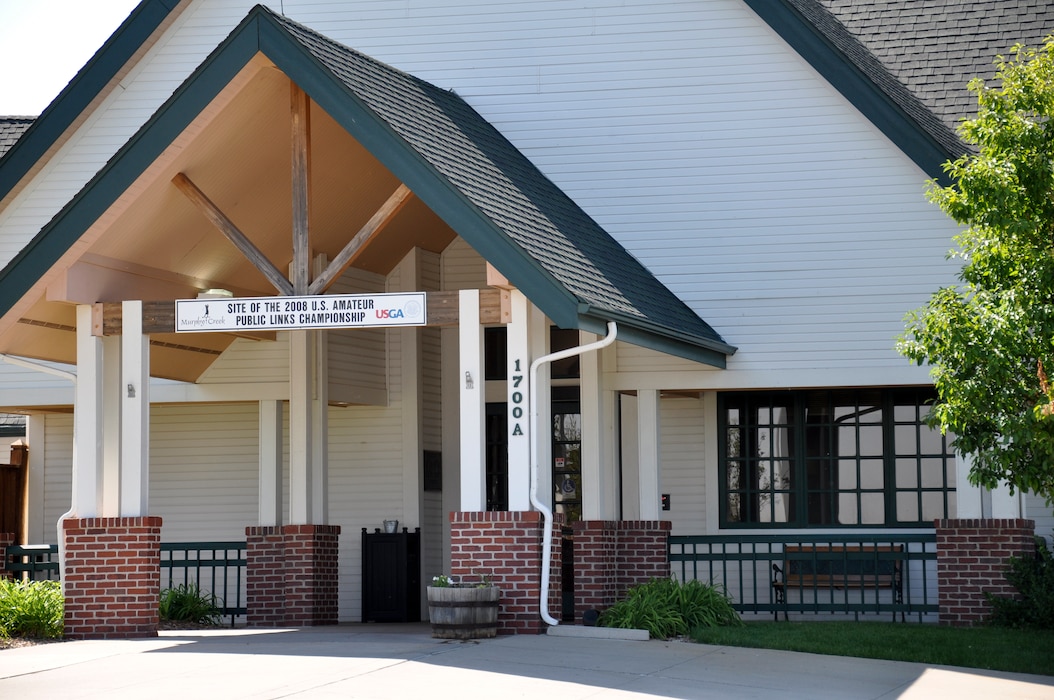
990, 340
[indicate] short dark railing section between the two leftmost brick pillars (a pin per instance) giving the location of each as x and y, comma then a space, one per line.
217, 569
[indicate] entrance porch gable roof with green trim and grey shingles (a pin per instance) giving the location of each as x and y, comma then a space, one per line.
453, 160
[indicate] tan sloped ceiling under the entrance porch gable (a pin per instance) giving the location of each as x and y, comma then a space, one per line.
154, 244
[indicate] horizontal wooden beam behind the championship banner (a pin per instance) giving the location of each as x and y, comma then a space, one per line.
161, 317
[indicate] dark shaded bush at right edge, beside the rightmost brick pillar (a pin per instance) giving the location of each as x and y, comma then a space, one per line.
1035, 579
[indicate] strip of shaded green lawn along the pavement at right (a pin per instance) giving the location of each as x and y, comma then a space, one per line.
993, 649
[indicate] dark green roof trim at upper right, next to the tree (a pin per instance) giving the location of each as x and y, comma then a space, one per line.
854, 72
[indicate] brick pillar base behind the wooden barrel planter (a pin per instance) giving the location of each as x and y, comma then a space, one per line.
506, 547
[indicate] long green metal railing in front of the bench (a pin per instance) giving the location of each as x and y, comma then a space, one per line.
744, 566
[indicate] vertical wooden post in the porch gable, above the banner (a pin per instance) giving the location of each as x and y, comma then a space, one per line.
301, 123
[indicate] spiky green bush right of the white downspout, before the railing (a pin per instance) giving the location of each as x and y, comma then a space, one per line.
668, 609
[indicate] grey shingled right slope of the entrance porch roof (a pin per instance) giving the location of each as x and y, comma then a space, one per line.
502, 184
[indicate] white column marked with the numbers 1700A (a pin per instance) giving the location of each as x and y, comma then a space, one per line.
519, 360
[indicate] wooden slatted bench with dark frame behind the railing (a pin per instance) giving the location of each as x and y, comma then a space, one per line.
832, 568
